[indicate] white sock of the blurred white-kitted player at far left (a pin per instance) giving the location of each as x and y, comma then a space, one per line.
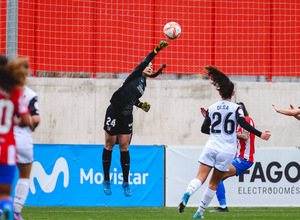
21, 193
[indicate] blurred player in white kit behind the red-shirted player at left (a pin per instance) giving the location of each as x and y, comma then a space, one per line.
24, 143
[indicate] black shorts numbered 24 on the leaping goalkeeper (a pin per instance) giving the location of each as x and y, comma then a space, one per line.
115, 123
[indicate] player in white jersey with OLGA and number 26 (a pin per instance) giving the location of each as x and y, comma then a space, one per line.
220, 122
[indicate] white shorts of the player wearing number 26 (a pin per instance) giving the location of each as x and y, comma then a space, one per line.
213, 158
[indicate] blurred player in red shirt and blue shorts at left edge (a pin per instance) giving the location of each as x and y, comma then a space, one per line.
12, 78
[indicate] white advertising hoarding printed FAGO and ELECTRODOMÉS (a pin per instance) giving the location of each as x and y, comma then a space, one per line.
273, 180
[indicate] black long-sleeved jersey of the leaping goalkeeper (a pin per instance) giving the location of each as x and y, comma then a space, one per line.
132, 89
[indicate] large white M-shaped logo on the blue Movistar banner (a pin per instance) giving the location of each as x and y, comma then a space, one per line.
48, 182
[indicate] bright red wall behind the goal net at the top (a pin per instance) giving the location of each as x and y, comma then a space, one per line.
241, 37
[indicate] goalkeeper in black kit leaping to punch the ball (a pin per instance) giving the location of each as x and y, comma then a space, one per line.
118, 121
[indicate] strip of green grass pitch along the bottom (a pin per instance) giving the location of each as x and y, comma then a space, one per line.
126, 213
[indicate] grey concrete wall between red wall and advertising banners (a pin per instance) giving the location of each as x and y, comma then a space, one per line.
72, 110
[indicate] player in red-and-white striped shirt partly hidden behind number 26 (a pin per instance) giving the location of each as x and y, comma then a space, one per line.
242, 161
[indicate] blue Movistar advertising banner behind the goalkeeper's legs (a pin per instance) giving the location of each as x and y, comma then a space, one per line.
72, 175
